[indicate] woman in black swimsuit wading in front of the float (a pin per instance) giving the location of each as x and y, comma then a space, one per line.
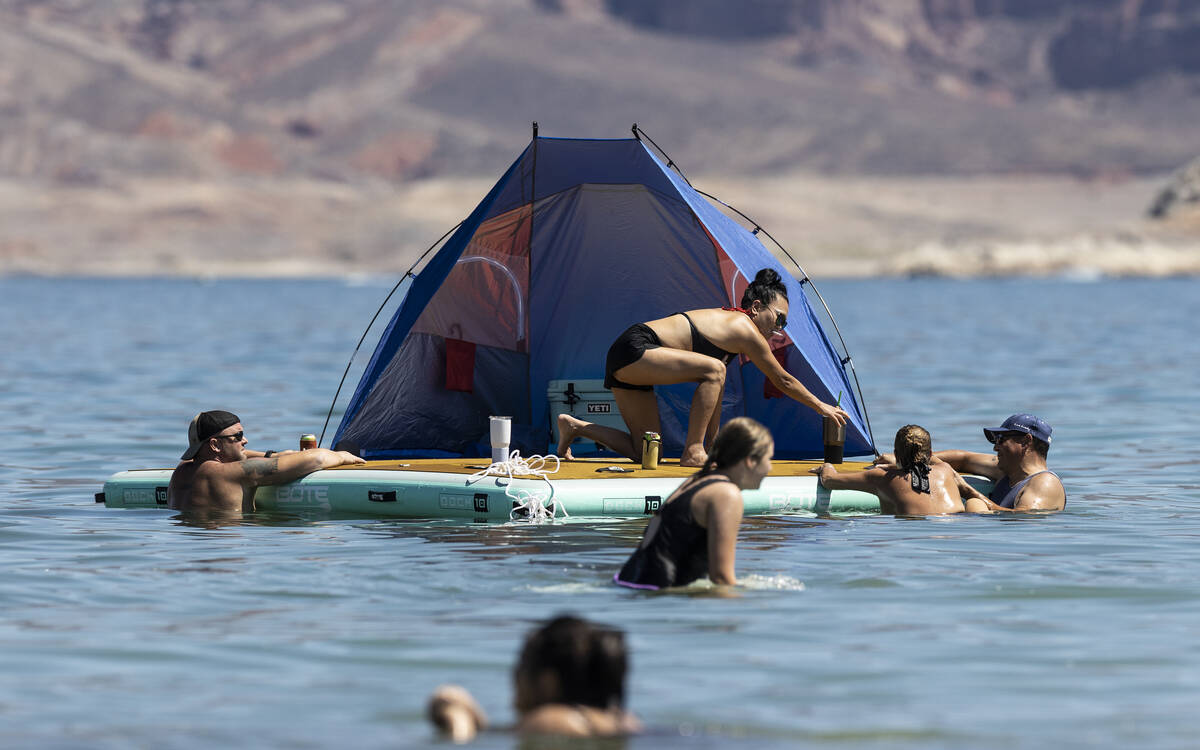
695, 532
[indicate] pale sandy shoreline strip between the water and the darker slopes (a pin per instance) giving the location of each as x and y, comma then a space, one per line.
837, 227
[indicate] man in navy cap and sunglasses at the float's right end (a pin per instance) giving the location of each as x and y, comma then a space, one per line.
1018, 467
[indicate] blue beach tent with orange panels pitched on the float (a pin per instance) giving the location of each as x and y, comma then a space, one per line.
580, 239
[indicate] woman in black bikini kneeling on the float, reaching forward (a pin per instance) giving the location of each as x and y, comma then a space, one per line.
692, 347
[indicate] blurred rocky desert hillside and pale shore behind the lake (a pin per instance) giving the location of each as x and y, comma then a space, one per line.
253, 137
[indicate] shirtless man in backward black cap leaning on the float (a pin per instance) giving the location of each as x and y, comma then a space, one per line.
218, 476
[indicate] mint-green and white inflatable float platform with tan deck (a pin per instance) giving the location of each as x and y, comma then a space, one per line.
458, 489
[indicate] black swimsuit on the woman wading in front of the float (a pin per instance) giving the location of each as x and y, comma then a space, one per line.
677, 555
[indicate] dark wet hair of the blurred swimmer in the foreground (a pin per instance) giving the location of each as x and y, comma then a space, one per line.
571, 661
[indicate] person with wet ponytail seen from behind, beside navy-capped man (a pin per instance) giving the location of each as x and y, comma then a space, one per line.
916, 485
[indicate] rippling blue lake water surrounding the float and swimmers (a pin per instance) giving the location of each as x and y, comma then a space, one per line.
128, 629
